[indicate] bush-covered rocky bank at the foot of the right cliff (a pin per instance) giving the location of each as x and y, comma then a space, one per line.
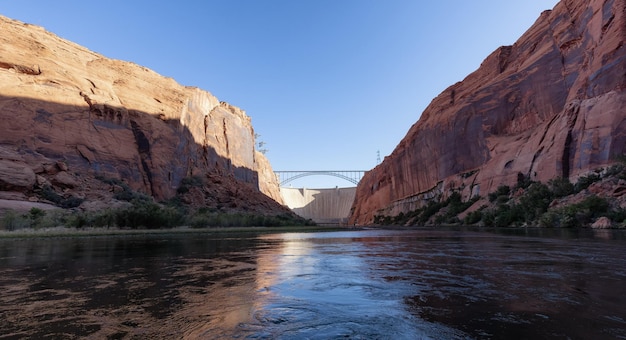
596, 200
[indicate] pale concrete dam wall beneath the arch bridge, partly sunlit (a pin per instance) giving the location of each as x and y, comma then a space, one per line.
324, 206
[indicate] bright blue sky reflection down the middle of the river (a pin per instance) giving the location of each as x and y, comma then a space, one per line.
320, 289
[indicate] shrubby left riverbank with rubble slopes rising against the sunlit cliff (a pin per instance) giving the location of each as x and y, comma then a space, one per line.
132, 210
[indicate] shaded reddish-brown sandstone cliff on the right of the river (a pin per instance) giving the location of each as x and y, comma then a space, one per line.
552, 105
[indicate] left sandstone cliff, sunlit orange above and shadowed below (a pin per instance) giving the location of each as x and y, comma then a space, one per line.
70, 115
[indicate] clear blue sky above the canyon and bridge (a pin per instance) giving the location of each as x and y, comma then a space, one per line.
328, 83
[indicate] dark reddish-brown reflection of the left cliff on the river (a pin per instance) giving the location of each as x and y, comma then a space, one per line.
123, 287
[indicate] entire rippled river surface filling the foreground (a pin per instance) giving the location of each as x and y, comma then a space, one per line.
373, 284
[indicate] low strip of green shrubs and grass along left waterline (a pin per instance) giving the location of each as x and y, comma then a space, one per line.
142, 215
